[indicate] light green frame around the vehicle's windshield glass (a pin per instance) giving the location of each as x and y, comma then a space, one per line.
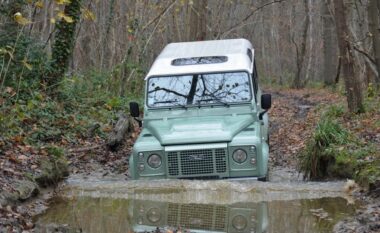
252, 92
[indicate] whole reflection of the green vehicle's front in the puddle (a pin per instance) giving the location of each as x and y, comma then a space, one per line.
147, 215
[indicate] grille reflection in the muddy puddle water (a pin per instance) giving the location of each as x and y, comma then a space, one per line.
197, 216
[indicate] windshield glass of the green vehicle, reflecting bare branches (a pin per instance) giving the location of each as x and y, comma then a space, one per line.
199, 89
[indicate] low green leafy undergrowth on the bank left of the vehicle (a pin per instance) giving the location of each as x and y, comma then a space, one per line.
37, 119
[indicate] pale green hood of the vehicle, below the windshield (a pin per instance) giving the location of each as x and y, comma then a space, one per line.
198, 129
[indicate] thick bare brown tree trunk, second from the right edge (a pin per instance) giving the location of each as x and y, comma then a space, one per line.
352, 83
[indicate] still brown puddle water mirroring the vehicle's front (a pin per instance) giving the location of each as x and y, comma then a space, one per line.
128, 215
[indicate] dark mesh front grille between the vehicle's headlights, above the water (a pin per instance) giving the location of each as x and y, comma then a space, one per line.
191, 163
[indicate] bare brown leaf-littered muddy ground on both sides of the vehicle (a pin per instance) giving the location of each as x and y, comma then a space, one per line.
294, 116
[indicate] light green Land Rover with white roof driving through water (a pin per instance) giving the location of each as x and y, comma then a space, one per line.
204, 114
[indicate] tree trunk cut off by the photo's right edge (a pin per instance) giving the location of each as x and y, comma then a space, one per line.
374, 27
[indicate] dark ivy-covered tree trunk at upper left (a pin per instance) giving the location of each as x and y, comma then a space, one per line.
63, 45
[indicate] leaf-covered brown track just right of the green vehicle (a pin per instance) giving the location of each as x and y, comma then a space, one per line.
289, 128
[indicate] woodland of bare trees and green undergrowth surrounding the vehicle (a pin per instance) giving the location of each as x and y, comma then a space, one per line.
69, 67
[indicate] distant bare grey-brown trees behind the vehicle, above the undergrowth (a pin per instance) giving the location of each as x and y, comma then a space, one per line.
295, 40
